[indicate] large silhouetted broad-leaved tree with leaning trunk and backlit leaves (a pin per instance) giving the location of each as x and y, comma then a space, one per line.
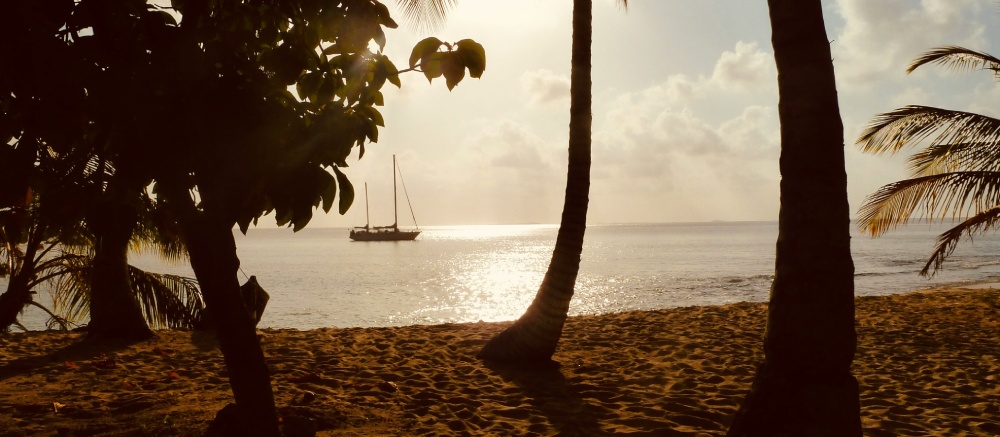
200, 109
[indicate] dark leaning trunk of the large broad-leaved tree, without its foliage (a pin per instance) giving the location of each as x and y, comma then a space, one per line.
212, 250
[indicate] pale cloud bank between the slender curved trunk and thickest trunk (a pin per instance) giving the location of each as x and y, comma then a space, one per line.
693, 148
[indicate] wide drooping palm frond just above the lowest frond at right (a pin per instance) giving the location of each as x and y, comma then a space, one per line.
956, 193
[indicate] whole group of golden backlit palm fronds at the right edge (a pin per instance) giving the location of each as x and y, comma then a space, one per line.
956, 174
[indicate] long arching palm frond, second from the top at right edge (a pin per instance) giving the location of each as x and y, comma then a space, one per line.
911, 125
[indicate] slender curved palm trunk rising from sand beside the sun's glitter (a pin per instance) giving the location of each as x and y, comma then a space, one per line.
534, 336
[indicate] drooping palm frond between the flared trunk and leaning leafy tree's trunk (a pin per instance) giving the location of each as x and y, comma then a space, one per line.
167, 301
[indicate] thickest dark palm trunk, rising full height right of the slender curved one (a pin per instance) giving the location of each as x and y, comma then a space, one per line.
805, 386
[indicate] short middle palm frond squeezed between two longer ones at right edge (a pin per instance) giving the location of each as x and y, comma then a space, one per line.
943, 158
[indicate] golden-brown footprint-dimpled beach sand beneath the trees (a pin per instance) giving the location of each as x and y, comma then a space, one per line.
927, 362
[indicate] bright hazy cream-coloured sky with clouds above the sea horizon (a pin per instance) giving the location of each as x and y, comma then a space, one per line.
685, 108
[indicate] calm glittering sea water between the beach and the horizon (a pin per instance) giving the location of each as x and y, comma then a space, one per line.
320, 278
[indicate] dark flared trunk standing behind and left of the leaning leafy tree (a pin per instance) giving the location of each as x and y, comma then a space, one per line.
114, 310
